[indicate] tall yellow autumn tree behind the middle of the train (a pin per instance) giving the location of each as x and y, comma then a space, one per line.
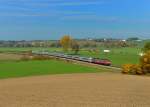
65, 42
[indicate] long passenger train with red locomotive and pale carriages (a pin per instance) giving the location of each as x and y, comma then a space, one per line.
98, 61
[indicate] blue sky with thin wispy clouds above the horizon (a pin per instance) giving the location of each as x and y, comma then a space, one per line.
51, 19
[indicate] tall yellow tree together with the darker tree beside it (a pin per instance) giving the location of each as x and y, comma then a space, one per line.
67, 42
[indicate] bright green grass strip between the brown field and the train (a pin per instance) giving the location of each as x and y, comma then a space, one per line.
31, 68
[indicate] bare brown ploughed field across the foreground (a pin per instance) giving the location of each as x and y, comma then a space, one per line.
76, 90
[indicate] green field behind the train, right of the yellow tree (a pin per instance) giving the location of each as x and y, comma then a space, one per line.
118, 56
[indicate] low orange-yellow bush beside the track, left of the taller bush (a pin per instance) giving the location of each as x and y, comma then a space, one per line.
132, 69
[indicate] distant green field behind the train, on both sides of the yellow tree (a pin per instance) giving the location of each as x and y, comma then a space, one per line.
118, 56
